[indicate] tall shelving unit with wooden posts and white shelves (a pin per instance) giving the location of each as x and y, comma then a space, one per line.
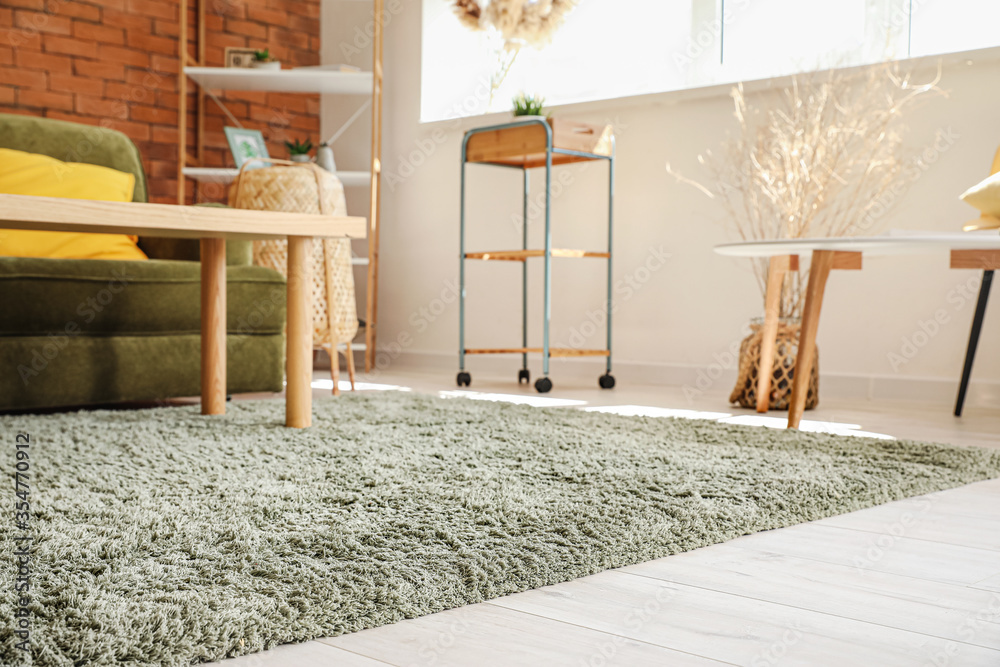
300, 80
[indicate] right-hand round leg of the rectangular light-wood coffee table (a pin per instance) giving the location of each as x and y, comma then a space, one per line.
298, 402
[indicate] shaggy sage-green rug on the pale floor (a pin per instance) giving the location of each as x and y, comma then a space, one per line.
165, 537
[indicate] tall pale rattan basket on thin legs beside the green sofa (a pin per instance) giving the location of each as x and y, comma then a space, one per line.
305, 188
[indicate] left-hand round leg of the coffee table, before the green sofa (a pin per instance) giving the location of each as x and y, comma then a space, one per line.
213, 326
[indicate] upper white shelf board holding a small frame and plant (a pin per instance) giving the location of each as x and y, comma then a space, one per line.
282, 81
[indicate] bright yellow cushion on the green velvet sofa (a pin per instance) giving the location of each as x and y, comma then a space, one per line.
42, 176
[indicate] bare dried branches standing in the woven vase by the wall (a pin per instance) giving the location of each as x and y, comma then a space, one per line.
819, 162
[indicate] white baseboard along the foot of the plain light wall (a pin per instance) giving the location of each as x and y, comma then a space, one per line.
712, 379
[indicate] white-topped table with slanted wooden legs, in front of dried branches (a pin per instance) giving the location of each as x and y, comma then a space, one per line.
968, 251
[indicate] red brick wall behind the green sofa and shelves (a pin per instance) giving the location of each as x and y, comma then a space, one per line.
115, 63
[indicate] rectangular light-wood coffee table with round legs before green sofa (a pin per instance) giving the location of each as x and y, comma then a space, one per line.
213, 226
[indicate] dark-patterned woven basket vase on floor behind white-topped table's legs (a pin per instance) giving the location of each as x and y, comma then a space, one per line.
786, 349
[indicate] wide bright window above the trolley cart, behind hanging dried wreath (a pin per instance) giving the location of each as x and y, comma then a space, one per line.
618, 48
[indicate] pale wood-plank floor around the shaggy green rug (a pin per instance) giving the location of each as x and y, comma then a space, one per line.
915, 582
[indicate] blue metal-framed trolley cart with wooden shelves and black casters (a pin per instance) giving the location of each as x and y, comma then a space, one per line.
526, 144
